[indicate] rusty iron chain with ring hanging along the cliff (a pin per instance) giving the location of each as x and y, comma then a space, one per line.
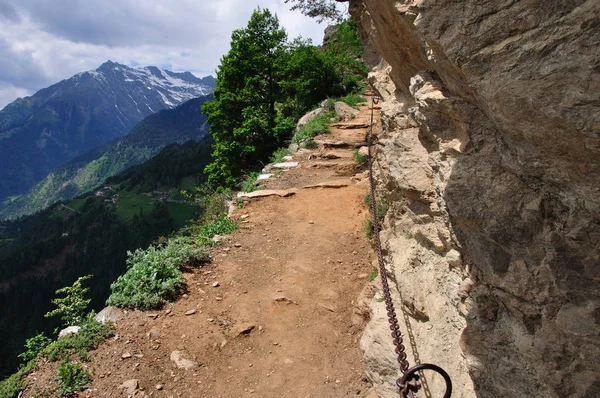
408, 383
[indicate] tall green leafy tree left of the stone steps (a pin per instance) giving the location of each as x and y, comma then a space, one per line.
242, 117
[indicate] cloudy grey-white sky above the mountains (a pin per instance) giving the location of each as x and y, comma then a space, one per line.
43, 42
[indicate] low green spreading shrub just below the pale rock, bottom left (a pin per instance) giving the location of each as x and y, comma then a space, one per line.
88, 338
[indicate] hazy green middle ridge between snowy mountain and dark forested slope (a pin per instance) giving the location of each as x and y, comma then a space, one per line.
83, 173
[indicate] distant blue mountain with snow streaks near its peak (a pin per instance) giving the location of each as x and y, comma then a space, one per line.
71, 117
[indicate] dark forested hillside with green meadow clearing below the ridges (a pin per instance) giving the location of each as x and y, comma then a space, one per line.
89, 235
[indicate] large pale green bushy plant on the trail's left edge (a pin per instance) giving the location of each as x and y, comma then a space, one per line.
154, 274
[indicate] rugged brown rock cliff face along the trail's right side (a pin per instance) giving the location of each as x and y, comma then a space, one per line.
490, 163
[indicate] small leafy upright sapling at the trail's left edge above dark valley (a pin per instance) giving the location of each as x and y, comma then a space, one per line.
71, 308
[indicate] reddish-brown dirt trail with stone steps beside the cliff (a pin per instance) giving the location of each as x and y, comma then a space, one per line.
285, 318
